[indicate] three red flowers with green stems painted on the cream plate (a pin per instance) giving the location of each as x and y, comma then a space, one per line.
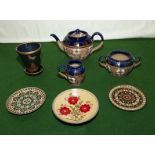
75, 109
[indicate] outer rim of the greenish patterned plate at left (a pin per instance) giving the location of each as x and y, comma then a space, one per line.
7, 101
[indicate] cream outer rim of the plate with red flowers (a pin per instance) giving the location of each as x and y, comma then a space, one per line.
80, 122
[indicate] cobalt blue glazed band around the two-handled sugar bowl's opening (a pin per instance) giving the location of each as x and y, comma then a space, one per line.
118, 63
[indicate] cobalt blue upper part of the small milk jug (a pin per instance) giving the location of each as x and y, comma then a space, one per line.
75, 70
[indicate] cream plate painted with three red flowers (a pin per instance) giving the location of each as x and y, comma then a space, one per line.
75, 106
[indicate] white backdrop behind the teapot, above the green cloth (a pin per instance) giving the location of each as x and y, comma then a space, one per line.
40, 30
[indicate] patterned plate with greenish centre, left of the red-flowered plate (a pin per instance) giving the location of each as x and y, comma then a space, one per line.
25, 100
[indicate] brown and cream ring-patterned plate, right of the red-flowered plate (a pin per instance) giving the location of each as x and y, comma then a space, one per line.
127, 97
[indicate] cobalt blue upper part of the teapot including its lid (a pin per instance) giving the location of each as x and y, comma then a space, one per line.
77, 38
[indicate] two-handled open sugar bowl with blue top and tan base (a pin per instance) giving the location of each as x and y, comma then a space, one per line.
119, 62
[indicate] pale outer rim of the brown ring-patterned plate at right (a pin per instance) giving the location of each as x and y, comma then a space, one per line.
127, 108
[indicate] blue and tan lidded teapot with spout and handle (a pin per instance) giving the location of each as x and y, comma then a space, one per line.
78, 44
